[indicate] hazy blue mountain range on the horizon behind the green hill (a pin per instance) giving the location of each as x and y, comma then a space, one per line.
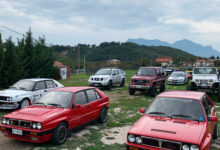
185, 45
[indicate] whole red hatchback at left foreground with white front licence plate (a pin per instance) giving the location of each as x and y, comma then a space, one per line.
55, 113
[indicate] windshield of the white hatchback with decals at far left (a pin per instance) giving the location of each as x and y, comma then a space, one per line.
23, 85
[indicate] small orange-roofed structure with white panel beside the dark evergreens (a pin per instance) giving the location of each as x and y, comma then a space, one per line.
64, 71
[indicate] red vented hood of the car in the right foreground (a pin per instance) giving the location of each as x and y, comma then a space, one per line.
175, 130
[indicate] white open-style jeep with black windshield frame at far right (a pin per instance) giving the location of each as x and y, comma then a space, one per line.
205, 79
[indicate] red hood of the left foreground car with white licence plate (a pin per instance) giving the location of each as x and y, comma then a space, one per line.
36, 113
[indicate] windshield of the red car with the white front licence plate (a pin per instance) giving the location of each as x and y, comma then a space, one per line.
55, 99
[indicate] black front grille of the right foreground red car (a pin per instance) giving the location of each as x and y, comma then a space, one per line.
160, 143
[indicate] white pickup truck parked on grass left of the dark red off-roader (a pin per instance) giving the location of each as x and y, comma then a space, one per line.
108, 77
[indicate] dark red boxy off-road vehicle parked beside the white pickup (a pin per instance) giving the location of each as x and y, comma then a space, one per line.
148, 79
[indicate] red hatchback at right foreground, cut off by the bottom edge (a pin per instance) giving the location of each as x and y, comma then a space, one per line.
175, 120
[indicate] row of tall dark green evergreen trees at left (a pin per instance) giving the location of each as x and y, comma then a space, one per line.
28, 58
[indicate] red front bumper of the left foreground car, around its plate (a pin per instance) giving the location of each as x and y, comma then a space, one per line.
28, 135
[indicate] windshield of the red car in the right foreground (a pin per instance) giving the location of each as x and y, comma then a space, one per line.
187, 109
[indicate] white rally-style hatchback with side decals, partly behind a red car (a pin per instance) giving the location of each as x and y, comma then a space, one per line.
25, 92
